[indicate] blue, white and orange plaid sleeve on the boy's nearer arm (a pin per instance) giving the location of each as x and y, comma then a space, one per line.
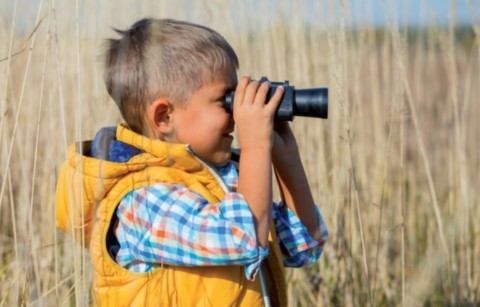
171, 224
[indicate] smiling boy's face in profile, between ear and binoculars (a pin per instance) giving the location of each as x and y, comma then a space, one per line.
203, 122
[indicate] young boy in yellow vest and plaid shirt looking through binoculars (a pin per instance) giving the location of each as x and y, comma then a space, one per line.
176, 224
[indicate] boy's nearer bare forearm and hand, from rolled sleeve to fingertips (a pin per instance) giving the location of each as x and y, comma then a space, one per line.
254, 120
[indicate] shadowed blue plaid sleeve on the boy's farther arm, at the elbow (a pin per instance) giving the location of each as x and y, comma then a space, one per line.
297, 246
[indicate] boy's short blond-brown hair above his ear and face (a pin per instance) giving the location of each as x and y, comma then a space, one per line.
162, 58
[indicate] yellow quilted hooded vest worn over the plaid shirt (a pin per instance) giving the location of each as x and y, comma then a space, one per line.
87, 185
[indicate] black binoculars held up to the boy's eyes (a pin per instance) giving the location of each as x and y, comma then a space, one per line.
311, 102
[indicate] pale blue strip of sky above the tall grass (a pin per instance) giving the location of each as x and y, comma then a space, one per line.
361, 13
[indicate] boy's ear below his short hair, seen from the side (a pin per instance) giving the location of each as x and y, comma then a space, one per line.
159, 115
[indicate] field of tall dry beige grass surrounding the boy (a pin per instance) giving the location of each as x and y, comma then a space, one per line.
394, 169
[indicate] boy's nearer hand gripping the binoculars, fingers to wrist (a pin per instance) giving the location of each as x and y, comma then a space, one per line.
254, 117
